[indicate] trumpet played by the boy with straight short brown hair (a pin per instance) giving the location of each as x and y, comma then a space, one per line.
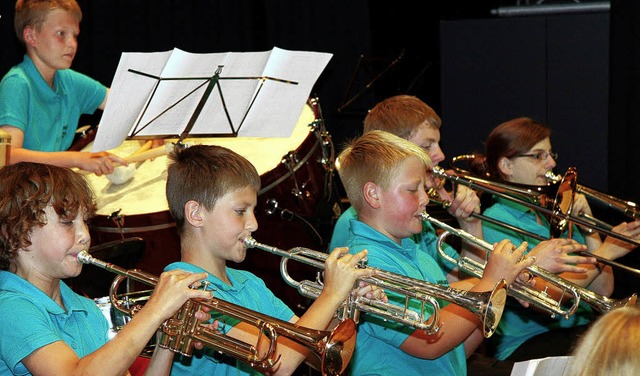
487, 306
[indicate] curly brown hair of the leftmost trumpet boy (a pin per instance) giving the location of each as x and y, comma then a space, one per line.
26, 190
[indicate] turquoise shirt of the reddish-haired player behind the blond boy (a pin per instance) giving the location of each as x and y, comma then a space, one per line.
427, 239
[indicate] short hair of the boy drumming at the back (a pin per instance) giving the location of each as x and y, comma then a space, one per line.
34, 12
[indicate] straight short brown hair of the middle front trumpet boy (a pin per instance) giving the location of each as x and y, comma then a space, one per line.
204, 173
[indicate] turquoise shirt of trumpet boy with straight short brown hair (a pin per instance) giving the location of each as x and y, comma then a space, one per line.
246, 290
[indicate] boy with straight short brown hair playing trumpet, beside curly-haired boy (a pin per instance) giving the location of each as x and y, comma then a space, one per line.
212, 194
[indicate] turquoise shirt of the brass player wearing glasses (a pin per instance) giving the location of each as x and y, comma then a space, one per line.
518, 324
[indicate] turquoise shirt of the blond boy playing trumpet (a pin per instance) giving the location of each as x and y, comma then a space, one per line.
378, 342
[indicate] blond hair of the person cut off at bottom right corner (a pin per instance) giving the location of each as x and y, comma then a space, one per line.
610, 346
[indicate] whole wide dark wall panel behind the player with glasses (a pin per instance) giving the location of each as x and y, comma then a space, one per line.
552, 68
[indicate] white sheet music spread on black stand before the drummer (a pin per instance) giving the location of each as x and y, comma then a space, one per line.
150, 107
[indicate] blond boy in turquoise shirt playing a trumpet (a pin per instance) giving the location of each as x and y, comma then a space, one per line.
387, 179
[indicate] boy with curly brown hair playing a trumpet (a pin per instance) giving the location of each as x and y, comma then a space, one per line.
47, 329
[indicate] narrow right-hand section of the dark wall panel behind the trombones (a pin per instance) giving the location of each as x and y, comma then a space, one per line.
578, 93
